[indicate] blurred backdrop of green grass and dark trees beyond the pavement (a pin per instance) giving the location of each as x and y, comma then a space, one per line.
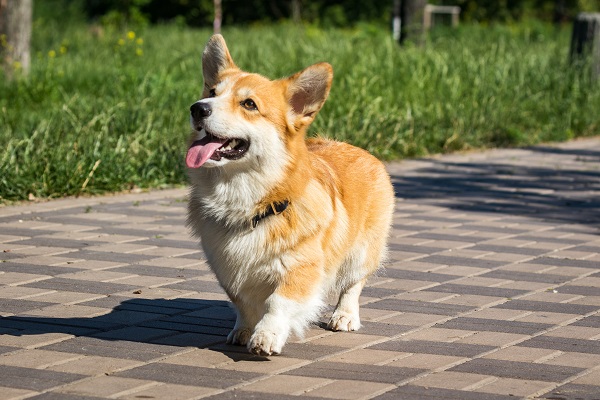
101, 102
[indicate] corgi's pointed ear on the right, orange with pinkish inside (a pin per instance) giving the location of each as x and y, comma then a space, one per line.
307, 91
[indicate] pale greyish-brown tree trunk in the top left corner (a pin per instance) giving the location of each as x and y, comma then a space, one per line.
15, 28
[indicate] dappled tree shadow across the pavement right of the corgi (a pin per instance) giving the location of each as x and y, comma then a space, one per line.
557, 192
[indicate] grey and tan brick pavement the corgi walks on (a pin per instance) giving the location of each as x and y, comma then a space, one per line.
492, 292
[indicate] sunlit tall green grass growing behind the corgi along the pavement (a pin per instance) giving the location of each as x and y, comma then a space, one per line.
106, 110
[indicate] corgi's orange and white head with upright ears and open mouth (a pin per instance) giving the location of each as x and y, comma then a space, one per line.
246, 120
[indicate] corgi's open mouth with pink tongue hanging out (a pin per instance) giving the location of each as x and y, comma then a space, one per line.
214, 148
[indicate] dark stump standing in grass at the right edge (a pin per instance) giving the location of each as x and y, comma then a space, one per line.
585, 42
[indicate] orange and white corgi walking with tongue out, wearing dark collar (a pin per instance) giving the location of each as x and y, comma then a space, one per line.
284, 221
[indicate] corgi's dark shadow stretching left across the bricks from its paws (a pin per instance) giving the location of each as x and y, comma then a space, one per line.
159, 322
